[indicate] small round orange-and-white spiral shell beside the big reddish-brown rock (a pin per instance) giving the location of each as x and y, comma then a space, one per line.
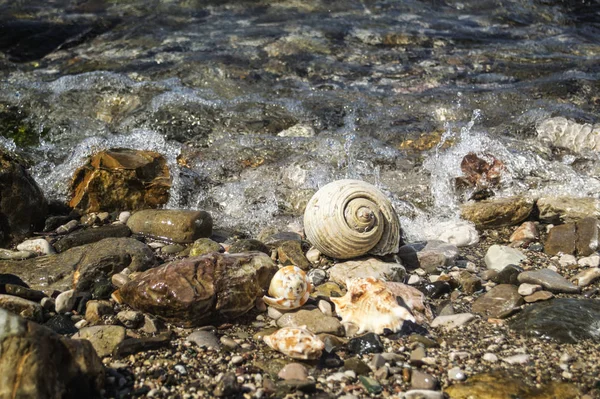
289, 289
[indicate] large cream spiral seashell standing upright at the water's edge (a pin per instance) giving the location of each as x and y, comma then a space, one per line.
350, 218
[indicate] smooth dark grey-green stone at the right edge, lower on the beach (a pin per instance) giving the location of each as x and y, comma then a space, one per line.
563, 319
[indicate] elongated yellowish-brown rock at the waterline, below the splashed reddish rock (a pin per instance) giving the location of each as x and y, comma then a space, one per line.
497, 212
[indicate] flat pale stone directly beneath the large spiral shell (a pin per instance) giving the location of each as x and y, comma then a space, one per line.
368, 267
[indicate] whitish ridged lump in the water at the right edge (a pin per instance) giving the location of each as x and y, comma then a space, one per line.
562, 132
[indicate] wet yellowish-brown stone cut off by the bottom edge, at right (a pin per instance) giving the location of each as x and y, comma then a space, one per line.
502, 386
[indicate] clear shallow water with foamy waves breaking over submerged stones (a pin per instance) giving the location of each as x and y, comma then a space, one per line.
257, 104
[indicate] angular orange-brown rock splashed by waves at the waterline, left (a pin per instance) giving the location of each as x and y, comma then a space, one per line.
119, 179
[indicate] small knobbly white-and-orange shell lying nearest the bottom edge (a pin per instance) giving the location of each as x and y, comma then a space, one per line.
296, 342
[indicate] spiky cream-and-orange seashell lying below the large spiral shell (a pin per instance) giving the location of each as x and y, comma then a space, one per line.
371, 306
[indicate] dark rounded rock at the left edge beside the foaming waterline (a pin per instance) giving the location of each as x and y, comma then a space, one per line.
23, 207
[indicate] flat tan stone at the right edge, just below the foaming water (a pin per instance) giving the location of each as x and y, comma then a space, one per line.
567, 209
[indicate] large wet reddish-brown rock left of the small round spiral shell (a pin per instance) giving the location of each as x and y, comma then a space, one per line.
196, 291
